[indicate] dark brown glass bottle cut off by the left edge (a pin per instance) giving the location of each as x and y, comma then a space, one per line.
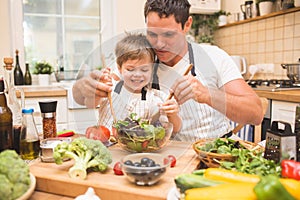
5, 121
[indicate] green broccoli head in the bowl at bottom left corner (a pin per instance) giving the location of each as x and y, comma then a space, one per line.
14, 175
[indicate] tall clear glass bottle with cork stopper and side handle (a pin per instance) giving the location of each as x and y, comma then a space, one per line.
13, 102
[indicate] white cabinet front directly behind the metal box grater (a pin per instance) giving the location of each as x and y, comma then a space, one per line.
284, 111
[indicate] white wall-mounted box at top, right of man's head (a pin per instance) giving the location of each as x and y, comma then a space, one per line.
205, 6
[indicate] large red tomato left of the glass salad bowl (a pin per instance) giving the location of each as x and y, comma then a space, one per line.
98, 133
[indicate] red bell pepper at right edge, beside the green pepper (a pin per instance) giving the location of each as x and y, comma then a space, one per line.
290, 169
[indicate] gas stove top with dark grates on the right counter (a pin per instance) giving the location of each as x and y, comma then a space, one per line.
273, 85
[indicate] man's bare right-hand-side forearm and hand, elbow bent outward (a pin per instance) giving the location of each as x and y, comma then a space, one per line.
236, 99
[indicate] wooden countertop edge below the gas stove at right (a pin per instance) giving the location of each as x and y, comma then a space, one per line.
288, 95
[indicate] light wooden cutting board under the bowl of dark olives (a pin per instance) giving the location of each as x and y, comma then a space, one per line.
53, 179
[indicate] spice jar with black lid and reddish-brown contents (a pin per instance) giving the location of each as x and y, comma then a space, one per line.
48, 110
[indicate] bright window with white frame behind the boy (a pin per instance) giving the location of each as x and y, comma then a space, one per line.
61, 32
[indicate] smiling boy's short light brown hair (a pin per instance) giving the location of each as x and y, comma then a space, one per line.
133, 47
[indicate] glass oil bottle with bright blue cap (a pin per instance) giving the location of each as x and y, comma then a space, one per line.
29, 138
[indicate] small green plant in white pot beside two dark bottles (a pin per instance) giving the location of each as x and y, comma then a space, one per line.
43, 70
